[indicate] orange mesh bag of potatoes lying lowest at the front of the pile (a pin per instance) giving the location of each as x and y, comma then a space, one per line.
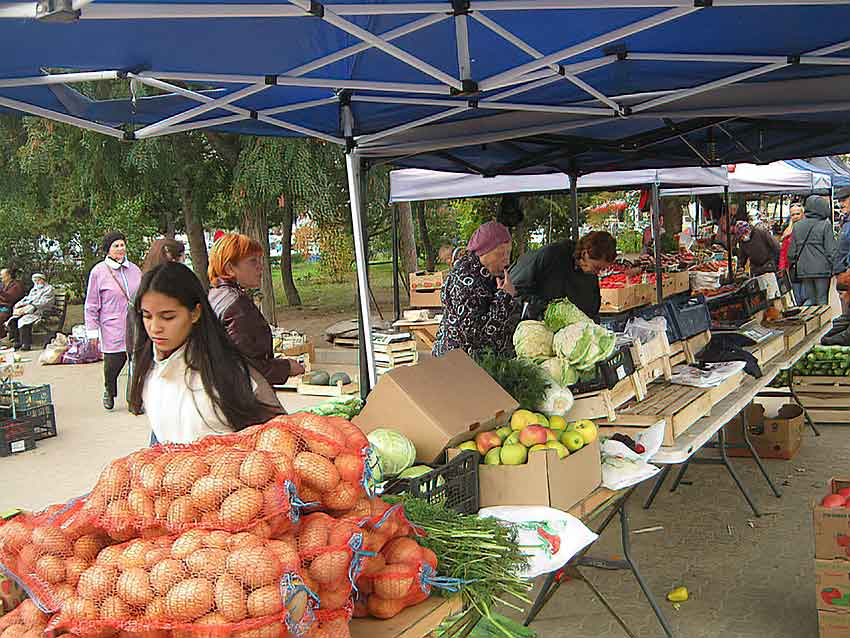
205, 582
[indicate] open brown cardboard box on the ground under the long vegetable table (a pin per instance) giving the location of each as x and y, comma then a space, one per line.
777, 437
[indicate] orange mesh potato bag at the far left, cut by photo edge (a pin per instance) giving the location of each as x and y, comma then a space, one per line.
46, 558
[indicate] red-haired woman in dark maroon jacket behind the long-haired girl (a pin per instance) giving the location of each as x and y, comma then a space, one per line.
236, 263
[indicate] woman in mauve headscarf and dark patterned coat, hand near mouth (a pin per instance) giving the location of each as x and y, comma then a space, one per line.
478, 295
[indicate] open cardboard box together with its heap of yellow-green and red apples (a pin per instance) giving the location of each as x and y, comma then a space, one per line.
537, 461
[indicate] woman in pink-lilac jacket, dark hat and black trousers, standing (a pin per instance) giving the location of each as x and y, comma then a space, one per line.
112, 284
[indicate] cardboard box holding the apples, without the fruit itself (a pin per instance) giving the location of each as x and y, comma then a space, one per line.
543, 480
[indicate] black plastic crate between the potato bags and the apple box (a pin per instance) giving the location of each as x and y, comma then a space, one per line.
453, 485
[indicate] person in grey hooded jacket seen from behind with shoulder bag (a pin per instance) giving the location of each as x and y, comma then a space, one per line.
812, 253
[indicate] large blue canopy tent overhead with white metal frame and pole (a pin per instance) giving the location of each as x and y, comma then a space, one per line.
488, 87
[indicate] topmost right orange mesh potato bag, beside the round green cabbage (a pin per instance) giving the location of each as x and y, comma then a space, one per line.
330, 457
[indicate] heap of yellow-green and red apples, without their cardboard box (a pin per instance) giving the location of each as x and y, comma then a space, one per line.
531, 432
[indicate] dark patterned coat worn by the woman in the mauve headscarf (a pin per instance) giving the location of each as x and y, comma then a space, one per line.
475, 312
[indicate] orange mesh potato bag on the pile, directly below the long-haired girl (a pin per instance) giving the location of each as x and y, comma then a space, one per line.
211, 484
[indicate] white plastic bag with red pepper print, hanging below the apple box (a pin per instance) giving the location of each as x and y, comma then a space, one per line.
549, 537
